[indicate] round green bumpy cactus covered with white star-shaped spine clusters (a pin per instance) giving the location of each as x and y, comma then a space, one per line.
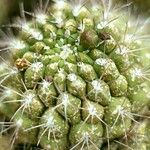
74, 80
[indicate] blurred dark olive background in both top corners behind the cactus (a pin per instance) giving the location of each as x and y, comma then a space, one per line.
10, 8
